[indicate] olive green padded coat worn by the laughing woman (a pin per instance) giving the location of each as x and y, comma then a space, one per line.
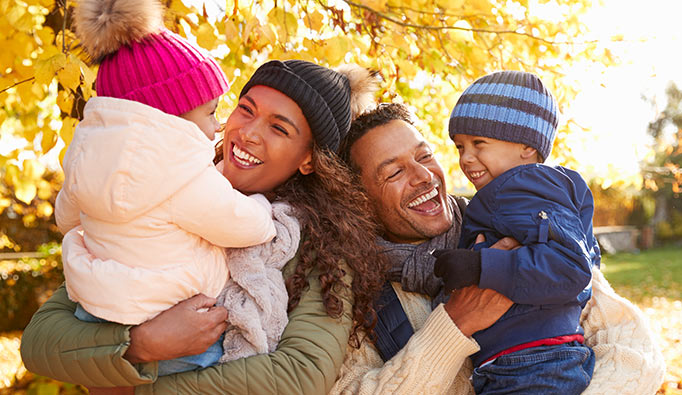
310, 353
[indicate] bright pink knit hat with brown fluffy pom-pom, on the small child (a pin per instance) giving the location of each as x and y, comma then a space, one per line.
141, 60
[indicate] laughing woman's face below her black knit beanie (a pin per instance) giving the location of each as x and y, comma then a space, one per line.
267, 140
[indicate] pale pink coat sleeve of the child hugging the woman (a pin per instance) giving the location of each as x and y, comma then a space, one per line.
209, 207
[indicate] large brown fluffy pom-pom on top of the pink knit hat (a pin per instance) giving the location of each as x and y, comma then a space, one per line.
103, 26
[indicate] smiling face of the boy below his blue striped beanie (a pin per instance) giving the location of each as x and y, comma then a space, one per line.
483, 158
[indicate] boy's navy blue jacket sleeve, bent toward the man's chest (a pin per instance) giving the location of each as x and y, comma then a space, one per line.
550, 212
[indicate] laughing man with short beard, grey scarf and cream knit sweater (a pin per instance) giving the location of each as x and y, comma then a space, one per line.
407, 188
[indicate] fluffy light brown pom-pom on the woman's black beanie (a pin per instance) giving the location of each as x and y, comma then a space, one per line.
363, 84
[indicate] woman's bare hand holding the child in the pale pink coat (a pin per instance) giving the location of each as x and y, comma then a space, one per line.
188, 328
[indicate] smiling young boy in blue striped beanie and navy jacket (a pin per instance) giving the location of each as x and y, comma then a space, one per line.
504, 125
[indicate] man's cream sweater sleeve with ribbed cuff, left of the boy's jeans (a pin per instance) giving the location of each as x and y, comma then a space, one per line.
428, 364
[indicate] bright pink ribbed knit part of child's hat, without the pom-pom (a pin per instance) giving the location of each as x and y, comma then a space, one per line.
164, 71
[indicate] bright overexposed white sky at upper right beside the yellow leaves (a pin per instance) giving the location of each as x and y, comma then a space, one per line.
615, 111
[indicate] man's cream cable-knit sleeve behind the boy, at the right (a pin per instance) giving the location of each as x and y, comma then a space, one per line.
629, 361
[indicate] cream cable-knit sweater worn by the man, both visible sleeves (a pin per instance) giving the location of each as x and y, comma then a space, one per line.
435, 360
